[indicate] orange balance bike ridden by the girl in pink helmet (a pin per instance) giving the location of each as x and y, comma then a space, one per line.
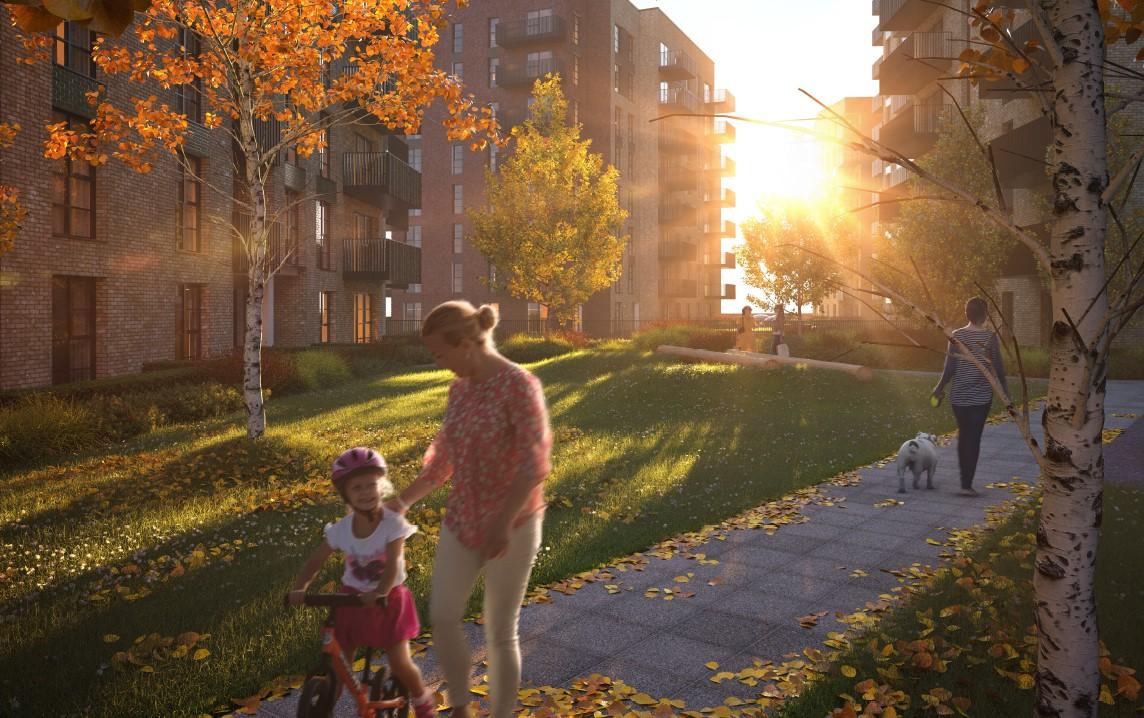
377, 693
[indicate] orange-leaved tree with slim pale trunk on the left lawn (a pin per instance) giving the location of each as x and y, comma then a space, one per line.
275, 76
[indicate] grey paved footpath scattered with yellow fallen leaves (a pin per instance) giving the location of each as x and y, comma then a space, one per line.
765, 583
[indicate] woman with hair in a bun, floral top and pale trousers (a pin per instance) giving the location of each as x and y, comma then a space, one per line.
495, 446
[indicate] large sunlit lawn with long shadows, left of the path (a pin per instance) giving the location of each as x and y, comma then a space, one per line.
187, 539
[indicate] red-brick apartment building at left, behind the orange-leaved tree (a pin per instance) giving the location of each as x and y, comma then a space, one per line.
115, 270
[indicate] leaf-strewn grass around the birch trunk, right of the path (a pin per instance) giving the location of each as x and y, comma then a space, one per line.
980, 619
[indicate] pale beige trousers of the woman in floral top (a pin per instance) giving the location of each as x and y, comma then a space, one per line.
456, 571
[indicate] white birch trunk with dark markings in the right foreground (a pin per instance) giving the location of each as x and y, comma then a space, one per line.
1068, 675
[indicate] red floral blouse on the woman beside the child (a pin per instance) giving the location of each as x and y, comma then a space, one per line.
495, 432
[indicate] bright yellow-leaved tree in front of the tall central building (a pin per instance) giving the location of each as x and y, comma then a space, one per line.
552, 226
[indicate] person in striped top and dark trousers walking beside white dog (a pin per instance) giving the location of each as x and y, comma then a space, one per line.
972, 395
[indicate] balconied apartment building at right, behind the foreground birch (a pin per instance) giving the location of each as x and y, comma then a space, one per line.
921, 42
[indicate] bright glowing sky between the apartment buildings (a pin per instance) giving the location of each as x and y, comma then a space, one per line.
765, 51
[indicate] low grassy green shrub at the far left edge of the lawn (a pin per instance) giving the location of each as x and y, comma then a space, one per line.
43, 427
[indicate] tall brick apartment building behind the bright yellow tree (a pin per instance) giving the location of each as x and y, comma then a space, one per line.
621, 68
